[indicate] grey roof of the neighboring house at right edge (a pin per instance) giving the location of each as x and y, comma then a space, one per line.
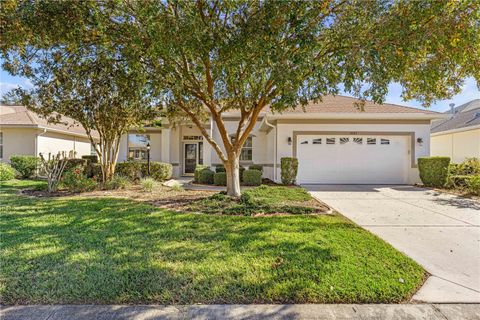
464, 116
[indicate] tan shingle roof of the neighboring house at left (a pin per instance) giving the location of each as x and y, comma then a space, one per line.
20, 116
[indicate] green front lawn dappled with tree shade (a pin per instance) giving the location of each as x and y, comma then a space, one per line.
111, 250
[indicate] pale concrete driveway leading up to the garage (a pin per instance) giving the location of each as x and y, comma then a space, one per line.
439, 231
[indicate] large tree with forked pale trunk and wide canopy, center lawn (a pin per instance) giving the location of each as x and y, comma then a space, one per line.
211, 57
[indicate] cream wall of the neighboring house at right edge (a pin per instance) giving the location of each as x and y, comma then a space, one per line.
457, 146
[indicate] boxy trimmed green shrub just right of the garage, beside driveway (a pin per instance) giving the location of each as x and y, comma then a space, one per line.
434, 171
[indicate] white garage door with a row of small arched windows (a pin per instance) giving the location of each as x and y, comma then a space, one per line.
352, 159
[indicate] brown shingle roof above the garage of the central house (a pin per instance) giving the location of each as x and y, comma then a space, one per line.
343, 104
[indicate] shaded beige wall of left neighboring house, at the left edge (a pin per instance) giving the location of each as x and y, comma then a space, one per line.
18, 141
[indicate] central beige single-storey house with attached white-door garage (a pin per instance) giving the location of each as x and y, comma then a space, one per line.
334, 141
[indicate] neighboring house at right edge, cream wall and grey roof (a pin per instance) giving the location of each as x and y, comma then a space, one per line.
458, 136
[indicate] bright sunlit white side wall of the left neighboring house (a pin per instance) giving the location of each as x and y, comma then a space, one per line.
54, 143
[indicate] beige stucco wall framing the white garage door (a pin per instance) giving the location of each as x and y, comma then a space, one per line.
285, 130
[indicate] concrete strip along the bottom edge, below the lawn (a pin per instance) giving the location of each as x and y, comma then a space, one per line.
307, 311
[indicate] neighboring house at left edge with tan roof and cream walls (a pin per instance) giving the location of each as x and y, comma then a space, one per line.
23, 132
